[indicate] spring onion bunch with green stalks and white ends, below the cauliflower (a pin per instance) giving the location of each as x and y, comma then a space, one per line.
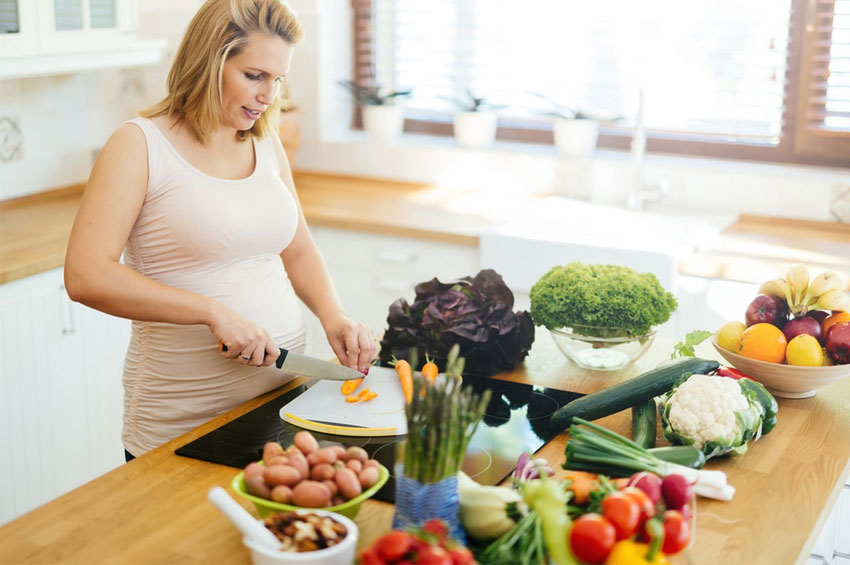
595, 449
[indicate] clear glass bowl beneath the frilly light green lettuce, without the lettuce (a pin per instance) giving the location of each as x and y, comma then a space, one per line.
616, 351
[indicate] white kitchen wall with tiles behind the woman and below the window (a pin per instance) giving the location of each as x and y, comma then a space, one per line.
63, 120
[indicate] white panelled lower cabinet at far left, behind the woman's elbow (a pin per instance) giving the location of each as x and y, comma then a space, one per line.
60, 392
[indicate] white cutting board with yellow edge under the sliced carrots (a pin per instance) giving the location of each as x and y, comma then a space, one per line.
324, 404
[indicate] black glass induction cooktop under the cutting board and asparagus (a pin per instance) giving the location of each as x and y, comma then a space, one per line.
516, 420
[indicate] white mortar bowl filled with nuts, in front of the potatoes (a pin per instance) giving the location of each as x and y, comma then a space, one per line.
314, 537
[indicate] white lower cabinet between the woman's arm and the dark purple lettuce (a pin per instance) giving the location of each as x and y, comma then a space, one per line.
371, 271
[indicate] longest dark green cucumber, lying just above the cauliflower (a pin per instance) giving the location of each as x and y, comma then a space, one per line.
628, 393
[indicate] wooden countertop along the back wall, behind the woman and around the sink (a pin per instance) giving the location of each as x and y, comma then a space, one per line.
34, 229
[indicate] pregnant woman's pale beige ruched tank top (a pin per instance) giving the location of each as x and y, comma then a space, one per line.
222, 239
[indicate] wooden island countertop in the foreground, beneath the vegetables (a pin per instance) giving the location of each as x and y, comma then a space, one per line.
154, 509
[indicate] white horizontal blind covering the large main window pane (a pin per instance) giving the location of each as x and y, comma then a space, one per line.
709, 68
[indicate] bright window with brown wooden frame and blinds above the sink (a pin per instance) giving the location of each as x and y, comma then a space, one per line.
761, 80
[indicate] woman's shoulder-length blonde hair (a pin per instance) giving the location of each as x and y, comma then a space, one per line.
218, 31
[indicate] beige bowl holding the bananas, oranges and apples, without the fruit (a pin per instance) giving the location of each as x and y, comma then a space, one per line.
785, 381
